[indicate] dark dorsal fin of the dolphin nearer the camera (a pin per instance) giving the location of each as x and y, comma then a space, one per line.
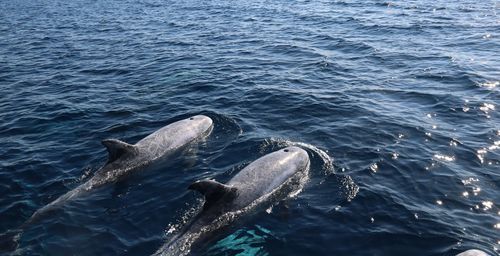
213, 191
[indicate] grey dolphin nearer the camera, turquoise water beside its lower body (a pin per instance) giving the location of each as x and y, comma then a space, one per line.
263, 180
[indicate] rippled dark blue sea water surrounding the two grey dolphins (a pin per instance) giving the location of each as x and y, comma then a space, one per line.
396, 102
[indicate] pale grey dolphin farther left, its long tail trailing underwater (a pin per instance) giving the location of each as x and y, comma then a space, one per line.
123, 159
